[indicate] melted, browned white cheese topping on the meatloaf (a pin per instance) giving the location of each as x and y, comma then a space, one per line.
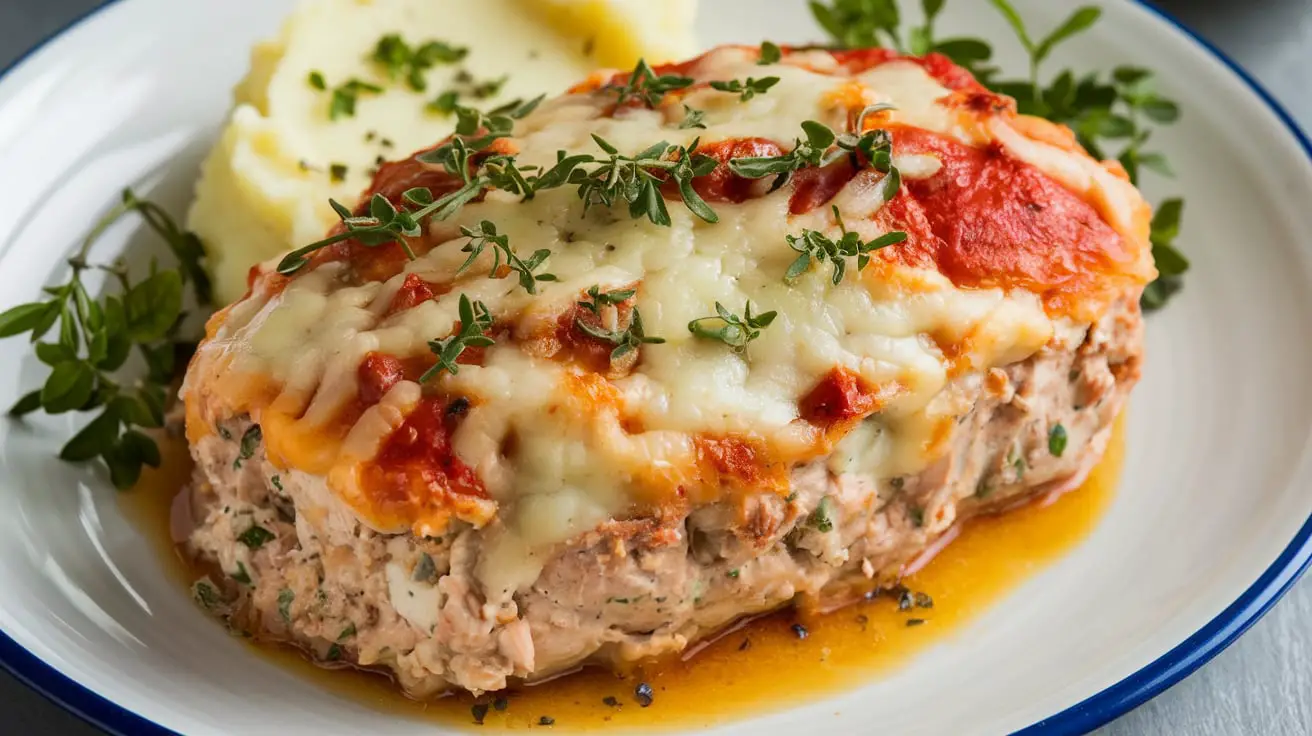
548, 448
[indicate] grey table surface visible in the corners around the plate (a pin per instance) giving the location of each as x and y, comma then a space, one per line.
1263, 685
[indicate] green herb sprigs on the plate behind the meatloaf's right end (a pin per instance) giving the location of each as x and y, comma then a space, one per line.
1109, 116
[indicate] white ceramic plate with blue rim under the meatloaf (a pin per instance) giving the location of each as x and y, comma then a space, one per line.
1210, 525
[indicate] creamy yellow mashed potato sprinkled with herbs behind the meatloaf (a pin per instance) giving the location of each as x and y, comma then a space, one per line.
266, 187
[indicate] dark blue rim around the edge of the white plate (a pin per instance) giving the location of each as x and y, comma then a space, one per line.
1094, 712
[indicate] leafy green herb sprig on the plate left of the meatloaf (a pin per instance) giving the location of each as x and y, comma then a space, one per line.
96, 339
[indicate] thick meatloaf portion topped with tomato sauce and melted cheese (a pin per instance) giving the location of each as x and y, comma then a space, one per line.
608, 474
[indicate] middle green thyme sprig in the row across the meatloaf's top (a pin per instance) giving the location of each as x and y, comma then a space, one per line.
634, 179
